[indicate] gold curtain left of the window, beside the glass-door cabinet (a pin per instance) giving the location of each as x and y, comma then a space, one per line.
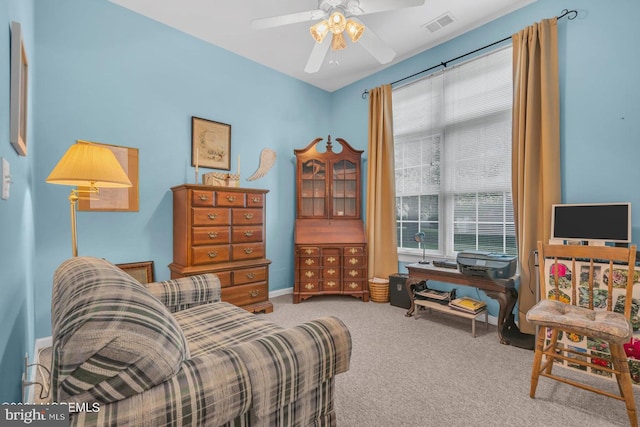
381, 203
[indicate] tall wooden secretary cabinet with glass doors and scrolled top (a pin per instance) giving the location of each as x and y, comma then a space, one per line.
330, 243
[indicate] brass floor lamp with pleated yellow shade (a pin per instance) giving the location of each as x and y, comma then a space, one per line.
91, 166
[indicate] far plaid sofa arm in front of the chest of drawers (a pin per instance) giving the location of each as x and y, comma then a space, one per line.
185, 292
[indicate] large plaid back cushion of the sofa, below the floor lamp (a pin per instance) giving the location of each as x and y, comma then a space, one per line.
112, 338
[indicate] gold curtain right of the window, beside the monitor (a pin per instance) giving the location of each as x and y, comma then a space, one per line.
536, 148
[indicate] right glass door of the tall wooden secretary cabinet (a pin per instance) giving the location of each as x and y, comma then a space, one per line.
343, 190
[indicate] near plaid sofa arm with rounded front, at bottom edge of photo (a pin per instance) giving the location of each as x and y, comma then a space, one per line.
209, 390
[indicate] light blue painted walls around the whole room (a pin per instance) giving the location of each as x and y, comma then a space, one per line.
109, 75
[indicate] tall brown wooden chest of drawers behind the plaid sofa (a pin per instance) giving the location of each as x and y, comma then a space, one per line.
221, 230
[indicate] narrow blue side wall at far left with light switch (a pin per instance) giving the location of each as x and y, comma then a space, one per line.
16, 214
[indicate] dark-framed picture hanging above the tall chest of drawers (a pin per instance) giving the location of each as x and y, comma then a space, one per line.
210, 144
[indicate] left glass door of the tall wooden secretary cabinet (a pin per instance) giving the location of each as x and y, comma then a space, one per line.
313, 195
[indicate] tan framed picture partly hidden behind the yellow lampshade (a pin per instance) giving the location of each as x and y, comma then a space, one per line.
116, 199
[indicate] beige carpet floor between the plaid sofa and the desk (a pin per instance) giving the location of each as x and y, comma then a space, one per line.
429, 371
